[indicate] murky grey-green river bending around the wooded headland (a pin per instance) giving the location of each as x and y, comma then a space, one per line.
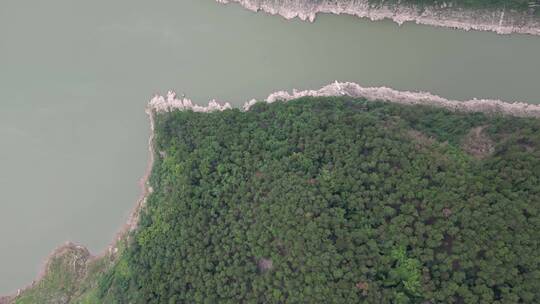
75, 77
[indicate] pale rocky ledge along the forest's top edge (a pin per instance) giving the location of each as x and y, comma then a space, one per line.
171, 102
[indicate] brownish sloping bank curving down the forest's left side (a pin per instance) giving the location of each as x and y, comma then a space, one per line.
76, 261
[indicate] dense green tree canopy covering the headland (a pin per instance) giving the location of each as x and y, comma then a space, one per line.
334, 200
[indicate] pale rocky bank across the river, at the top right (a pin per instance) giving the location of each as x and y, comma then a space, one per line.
499, 21
